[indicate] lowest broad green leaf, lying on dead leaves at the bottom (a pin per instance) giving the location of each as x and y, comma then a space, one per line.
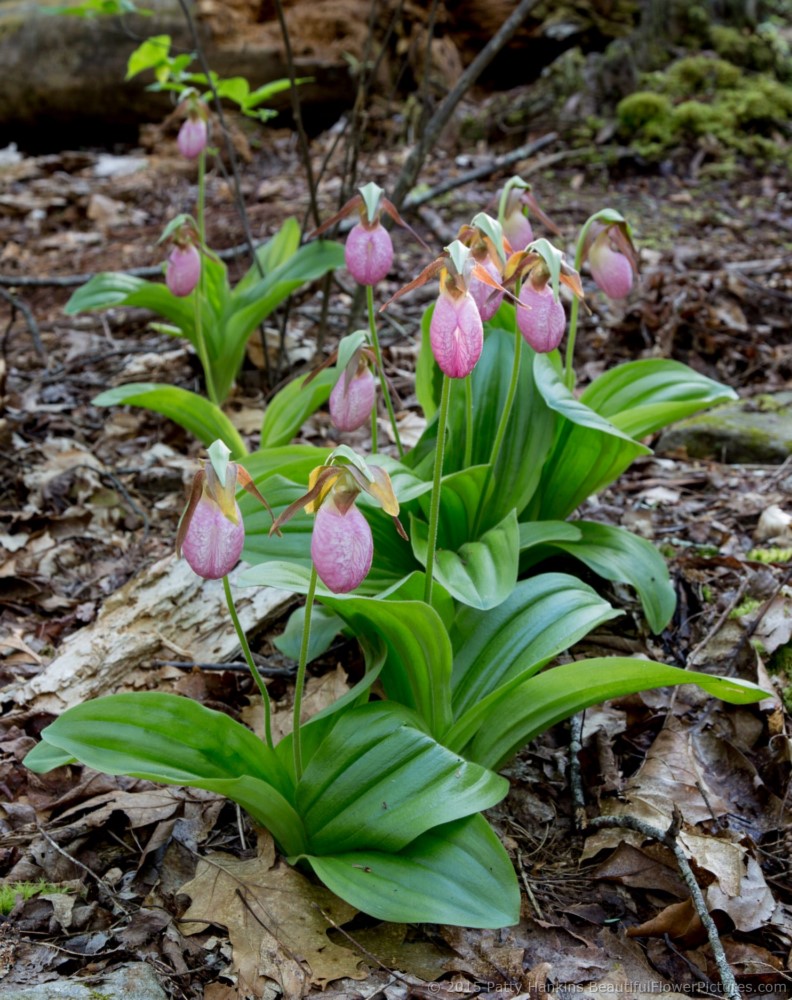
455, 874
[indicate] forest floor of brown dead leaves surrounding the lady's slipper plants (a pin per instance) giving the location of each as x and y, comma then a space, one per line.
91, 498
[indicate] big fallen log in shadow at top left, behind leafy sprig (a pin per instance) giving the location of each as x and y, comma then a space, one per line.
59, 70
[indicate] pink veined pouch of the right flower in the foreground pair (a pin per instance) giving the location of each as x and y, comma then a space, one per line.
342, 547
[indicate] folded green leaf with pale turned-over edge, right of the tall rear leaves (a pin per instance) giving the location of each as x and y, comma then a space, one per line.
588, 453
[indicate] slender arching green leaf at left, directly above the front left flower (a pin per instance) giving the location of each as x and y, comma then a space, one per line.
195, 414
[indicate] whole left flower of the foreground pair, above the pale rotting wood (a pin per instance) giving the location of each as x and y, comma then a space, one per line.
211, 532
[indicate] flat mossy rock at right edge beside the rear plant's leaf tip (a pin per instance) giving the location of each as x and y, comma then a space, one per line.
754, 431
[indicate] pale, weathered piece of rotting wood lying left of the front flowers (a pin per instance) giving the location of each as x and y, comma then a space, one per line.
164, 608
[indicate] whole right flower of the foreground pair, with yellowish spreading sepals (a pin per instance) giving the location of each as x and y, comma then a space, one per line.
342, 546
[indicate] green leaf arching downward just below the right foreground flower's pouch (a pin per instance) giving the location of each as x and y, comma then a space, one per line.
417, 670
